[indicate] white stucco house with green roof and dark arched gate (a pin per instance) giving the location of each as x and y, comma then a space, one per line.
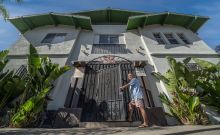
103, 46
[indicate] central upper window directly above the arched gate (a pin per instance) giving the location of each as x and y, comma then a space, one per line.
108, 39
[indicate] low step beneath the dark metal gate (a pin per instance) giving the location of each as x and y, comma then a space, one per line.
109, 124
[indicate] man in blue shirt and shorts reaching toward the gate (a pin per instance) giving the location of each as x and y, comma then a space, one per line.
136, 98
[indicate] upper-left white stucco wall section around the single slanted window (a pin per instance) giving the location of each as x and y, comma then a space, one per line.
35, 37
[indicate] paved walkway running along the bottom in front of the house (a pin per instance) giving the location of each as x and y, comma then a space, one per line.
171, 130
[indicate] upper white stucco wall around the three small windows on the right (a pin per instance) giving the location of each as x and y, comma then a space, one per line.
197, 46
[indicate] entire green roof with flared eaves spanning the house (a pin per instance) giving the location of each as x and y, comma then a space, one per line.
86, 19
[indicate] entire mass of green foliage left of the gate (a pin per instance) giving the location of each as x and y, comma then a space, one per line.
27, 97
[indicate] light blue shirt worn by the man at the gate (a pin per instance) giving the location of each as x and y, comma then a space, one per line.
135, 89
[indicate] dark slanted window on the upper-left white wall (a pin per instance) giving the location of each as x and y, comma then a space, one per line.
53, 38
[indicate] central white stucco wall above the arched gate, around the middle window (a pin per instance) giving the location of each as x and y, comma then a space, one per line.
131, 39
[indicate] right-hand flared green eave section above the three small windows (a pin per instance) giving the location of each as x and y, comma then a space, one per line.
188, 21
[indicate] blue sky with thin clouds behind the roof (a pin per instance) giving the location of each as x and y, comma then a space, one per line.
210, 32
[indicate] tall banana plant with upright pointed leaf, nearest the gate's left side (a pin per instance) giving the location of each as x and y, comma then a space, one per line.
41, 75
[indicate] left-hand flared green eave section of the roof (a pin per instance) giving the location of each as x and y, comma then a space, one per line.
26, 23
